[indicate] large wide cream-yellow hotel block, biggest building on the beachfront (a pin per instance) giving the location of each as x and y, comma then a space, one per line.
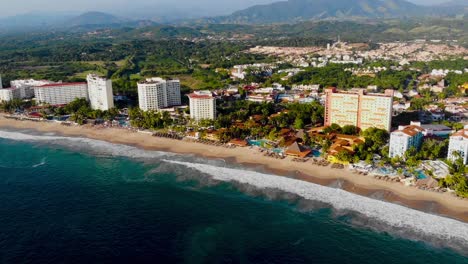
359, 108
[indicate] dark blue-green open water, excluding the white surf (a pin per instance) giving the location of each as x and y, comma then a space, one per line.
61, 206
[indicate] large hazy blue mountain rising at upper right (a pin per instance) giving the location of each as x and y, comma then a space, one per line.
302, 10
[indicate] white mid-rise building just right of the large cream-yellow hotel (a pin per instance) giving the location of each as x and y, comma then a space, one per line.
404, 138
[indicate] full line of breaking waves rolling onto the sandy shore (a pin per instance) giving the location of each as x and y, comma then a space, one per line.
364, 211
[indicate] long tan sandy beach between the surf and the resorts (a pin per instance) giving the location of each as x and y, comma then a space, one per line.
444, 204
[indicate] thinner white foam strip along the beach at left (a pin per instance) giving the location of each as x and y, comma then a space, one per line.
101, 147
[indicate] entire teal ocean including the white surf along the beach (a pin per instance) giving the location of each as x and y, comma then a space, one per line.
72, 200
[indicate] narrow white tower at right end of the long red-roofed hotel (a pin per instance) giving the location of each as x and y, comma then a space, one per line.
100, 92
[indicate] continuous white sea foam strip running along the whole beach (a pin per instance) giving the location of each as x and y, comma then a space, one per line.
391, 215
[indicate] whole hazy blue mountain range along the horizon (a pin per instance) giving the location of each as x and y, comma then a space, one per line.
288, 11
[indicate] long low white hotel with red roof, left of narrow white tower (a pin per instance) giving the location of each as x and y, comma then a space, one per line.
60, 93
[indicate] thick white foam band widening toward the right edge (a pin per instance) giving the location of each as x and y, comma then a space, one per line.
395, 216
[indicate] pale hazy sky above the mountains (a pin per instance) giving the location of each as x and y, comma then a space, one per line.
207, 7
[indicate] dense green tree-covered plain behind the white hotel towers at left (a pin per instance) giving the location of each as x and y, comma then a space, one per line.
125, 62
